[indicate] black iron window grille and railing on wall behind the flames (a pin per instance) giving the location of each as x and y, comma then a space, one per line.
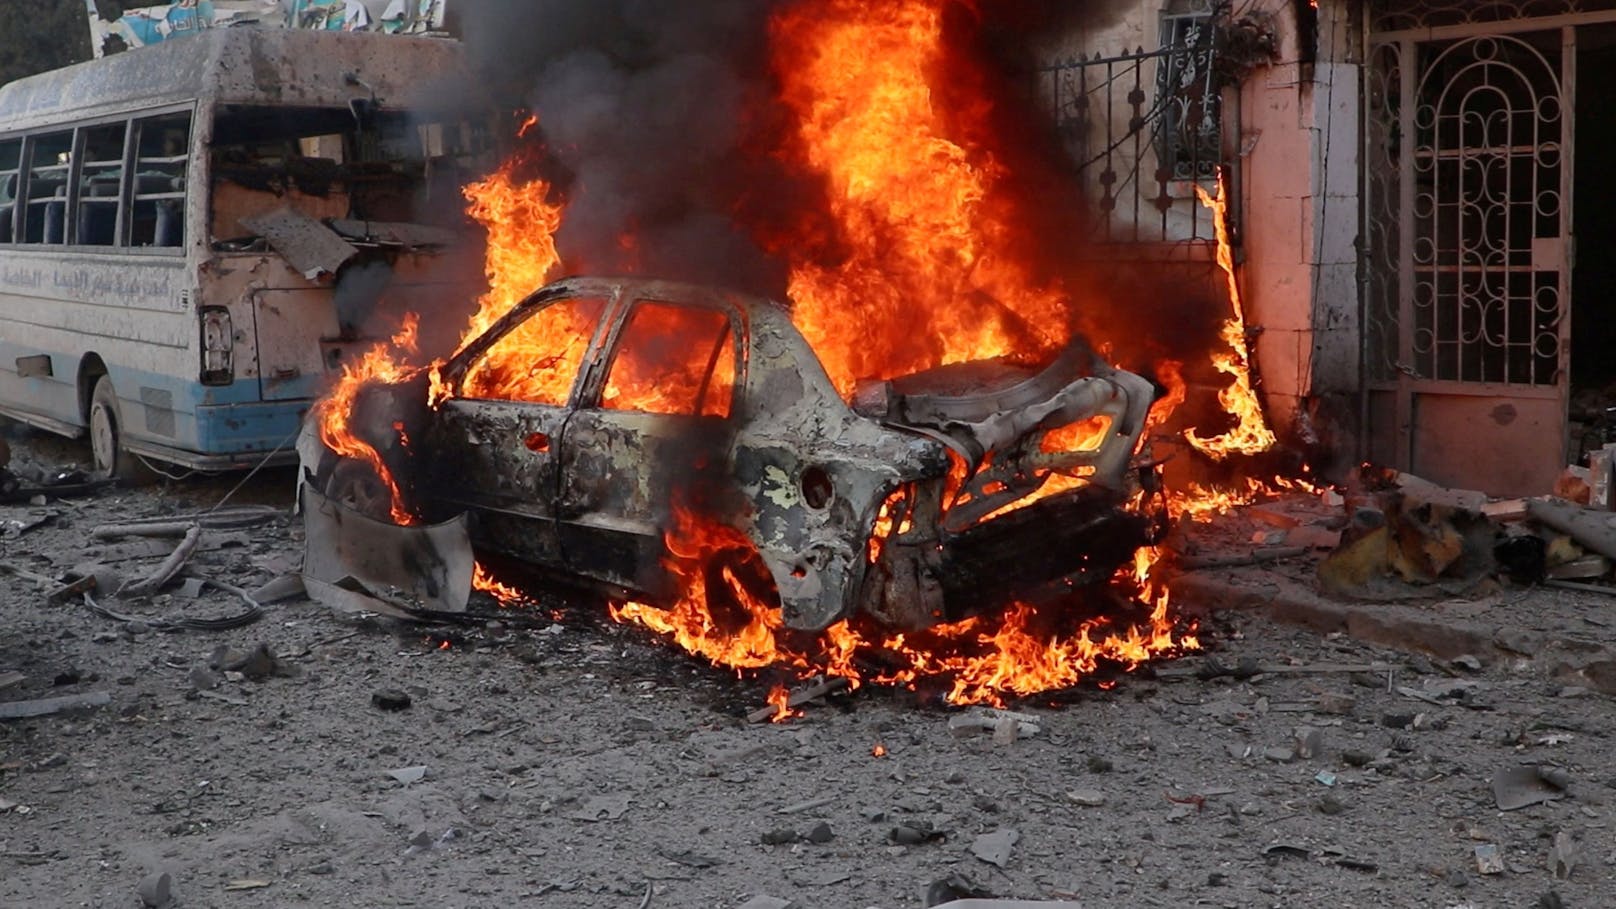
1090, 95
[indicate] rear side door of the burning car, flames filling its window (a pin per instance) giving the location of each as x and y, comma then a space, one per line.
652, 433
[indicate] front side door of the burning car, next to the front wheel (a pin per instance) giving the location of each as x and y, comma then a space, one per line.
495, 441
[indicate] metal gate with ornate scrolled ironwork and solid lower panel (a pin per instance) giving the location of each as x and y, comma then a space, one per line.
1468, 224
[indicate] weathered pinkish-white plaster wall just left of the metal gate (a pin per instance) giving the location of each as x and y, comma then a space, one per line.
1295, 140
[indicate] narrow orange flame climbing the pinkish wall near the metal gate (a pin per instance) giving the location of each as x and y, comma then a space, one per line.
1252, 433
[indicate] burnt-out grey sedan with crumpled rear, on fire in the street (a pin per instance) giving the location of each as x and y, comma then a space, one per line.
583, 425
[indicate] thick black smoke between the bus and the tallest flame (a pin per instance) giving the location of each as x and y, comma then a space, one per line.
650, 114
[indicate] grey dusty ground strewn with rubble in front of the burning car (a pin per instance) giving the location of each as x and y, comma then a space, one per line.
579, 764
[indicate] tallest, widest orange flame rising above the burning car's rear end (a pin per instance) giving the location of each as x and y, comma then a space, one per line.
927, 271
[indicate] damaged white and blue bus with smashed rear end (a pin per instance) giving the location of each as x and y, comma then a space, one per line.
195, 235
